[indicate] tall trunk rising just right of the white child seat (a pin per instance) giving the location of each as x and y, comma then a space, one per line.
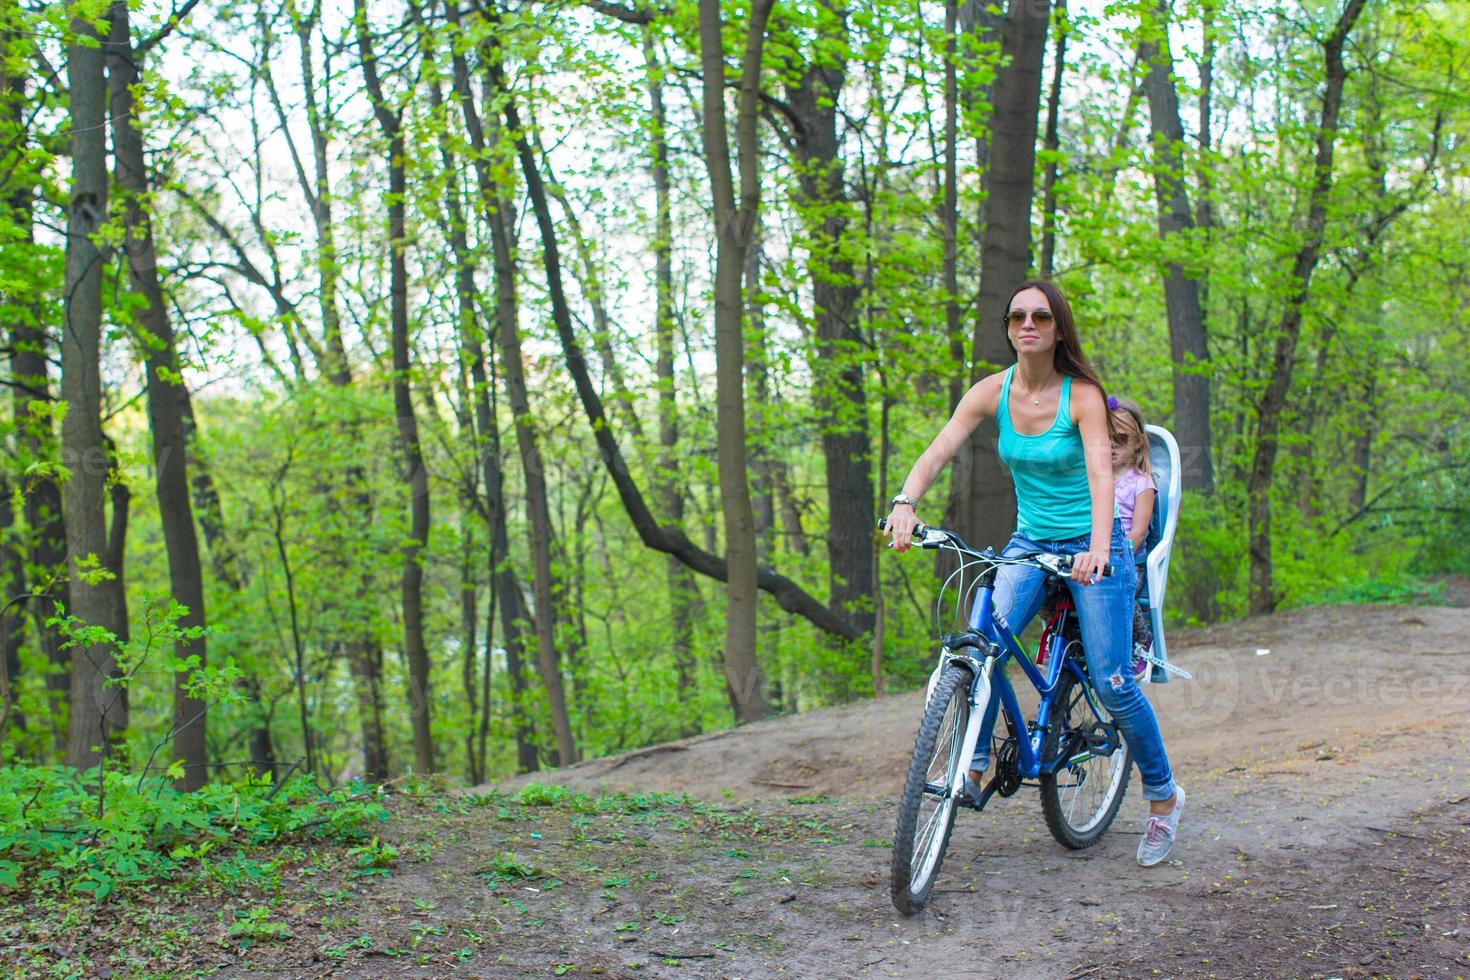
1187, 339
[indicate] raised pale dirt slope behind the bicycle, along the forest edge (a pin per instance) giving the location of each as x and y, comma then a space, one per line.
1327, 677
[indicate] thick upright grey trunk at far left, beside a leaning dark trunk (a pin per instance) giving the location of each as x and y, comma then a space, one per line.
93, 722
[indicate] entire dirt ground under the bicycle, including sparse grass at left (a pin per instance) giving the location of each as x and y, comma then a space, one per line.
1328, 835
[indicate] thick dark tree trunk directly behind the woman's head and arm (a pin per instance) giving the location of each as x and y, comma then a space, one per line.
983, 500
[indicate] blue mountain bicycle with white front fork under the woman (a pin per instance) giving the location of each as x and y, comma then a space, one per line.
1071, 750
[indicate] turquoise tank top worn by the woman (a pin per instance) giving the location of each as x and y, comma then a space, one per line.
1050, 472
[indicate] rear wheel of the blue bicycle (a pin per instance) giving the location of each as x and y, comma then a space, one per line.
1083, 797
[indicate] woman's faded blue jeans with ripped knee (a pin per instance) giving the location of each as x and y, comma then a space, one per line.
1106, 613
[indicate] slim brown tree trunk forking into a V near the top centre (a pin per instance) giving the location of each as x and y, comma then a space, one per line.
734, 227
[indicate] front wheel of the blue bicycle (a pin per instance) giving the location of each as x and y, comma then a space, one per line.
927, 809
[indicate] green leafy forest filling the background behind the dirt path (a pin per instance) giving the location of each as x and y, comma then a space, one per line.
474, 390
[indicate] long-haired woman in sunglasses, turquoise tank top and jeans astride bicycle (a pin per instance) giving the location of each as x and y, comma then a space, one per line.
1053, 422
